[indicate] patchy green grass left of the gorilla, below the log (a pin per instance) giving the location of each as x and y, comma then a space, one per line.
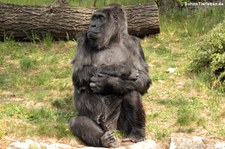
33, 78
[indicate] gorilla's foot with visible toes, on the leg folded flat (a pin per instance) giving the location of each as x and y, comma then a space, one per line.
108, 140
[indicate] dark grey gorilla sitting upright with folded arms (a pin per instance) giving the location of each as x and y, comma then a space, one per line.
109, 76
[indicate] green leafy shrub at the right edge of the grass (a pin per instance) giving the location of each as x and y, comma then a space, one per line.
210, 56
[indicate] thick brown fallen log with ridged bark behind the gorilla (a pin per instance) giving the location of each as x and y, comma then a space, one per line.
63, 22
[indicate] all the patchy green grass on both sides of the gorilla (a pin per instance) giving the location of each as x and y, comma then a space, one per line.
36, 87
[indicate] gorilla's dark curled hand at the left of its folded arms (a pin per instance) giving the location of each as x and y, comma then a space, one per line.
98, 83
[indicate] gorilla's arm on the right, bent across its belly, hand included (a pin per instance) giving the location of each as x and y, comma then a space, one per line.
112, 84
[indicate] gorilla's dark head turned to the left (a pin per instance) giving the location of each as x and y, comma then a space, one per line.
107, 25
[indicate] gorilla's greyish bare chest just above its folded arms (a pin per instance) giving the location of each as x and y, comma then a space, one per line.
110, 56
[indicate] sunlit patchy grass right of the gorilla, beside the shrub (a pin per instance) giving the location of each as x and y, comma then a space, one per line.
181, 101
